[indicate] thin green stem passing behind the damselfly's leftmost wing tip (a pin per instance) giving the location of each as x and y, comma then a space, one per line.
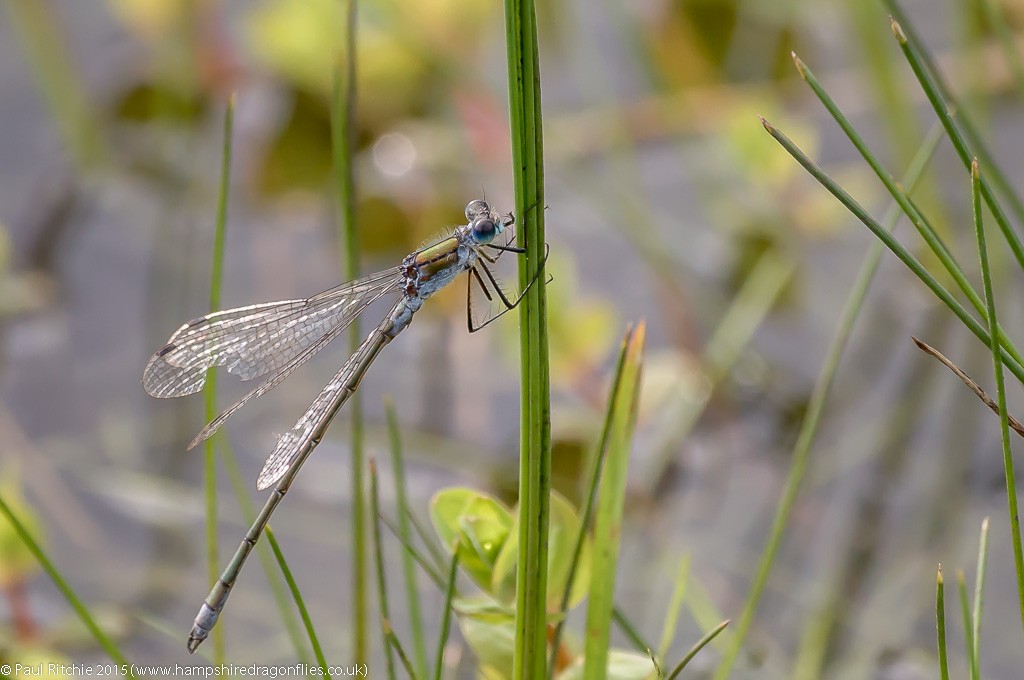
210, 390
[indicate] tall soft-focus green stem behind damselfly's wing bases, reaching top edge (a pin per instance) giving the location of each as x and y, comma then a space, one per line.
344, 140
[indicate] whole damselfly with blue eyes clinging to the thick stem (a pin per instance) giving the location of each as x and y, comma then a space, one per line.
276, 338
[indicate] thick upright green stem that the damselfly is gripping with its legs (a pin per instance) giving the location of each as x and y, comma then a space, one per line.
535, 454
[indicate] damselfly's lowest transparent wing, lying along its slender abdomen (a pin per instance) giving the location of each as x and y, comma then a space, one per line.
301, 439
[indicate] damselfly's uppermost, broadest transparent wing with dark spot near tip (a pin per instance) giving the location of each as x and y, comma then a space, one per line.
259, 339
